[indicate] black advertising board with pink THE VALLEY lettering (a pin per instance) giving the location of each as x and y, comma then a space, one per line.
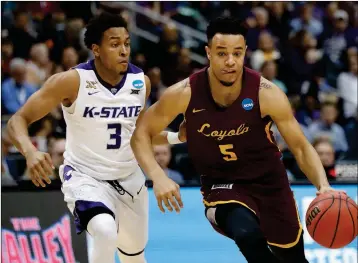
37, 227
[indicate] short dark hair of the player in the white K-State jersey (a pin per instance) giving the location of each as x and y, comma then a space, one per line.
99, 24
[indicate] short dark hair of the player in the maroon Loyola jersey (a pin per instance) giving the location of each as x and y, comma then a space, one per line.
225, 25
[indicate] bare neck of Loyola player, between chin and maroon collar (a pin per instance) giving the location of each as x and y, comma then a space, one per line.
223, 95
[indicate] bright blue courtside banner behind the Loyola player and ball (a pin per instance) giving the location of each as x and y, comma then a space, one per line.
188, 237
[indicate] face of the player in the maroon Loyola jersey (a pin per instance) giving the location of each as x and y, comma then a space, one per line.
226, 54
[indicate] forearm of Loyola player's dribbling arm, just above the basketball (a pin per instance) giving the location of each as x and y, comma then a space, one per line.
309, 162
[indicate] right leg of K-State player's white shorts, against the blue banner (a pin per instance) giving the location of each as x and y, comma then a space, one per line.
133, 224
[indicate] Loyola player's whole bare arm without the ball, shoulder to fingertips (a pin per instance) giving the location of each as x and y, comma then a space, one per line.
173, 102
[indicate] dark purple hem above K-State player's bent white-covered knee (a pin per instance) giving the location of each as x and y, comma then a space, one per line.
85, 210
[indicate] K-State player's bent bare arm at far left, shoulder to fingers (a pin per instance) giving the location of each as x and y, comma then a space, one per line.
58, 88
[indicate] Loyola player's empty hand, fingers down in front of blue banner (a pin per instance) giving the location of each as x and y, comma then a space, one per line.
167, 191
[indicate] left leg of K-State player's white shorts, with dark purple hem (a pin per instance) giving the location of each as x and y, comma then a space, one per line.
85, 196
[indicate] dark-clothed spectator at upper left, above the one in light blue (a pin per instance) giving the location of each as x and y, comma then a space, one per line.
20, 36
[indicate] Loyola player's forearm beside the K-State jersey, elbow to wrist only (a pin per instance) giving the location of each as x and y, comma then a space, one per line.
141, 143
